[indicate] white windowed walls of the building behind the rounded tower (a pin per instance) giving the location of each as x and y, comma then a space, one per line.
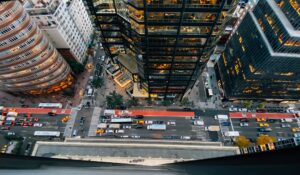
63, 30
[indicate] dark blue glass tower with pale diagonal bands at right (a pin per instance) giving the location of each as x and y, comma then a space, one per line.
262, 59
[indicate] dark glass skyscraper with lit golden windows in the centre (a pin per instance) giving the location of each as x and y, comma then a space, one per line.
162, 44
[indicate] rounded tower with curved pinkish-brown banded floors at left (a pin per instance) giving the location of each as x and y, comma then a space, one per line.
28, 61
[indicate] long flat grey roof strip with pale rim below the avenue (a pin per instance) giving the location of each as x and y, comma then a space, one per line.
172, 151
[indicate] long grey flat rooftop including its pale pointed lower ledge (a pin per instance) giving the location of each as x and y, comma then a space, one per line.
129, 152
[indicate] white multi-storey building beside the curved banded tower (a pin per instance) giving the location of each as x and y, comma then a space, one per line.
66, 24
